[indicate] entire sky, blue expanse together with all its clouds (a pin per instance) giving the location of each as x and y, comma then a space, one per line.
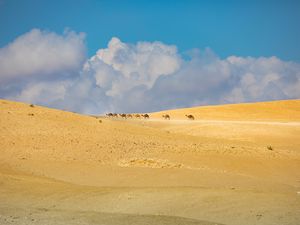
140, 56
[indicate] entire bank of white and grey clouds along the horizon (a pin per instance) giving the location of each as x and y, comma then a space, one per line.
51, 69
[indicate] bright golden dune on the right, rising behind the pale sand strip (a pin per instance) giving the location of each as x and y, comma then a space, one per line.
286, 110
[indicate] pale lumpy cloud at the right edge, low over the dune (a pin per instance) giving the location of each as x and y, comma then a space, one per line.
263, 79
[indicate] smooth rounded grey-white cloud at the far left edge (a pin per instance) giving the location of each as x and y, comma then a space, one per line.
40, 53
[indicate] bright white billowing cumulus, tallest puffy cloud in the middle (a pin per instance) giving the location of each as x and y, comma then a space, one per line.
121, 67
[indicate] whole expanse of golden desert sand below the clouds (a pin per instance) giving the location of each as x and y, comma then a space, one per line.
234, 165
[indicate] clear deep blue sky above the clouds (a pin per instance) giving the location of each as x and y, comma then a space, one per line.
243, 28
